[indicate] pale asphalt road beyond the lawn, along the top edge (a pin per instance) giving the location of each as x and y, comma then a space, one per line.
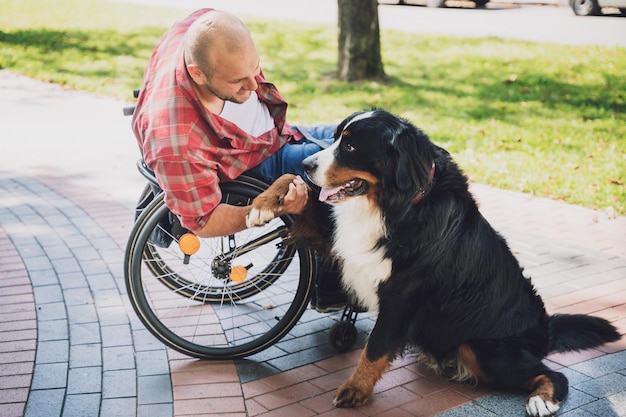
552, 23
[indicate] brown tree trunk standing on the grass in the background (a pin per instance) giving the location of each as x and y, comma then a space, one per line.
359, 41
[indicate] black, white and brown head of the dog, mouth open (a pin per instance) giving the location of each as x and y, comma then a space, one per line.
375, 155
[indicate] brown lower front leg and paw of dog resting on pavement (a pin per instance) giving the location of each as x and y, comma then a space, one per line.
357, 390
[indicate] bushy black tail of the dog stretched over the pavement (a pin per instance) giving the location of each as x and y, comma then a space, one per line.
579, 331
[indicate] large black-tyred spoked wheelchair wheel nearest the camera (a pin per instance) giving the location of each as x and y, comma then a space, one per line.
234, 297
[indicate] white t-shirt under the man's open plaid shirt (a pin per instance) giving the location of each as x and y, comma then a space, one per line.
252, 116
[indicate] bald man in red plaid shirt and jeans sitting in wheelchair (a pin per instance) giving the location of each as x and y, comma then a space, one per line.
206, 114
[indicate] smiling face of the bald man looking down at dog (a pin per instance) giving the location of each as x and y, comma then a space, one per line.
233, 75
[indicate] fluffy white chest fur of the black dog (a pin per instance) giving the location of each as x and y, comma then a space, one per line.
364, 266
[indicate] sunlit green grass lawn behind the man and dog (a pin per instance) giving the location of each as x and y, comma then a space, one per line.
539, 118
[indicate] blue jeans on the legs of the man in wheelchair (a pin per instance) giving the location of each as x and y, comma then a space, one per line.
288, 159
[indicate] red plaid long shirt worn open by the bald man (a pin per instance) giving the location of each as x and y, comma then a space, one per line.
190, 149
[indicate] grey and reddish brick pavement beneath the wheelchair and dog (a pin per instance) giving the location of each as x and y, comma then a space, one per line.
70, 344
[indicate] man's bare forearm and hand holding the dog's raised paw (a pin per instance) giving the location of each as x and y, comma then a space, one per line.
226, 219
